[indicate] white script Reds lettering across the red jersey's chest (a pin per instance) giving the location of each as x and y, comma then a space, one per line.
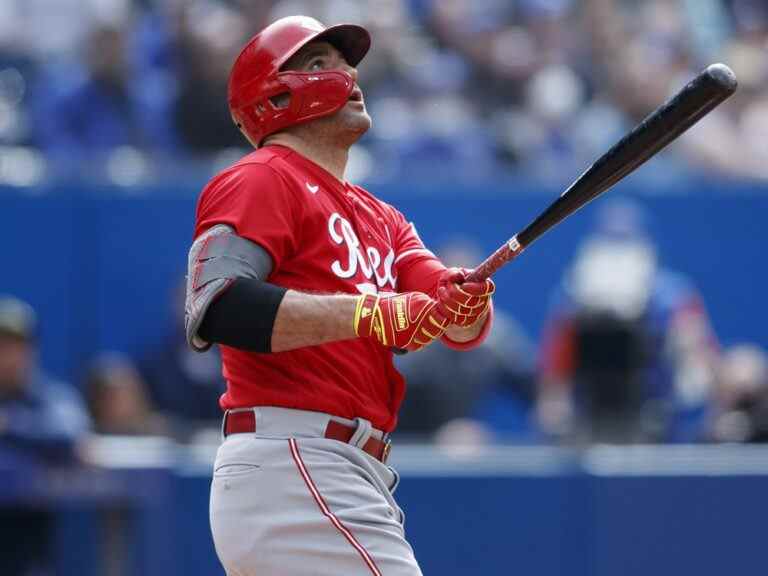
370, 262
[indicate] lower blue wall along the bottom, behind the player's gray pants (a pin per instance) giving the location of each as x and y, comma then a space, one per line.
688, 519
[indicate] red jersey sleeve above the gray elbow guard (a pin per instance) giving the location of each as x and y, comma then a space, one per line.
255, 201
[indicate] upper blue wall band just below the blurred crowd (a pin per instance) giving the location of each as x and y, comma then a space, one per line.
100, 264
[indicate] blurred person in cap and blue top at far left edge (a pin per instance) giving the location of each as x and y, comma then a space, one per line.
39, 416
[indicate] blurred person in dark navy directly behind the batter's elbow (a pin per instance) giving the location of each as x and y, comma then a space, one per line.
183, 385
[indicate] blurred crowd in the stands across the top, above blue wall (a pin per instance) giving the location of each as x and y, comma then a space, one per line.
134, 90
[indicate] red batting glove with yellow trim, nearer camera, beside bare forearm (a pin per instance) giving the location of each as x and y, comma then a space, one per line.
407, 321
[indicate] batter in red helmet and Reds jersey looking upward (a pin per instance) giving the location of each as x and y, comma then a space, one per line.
308, 283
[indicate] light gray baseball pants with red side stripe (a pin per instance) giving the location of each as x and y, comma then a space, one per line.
285, 501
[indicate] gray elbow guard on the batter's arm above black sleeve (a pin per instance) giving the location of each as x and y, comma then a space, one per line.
216, 259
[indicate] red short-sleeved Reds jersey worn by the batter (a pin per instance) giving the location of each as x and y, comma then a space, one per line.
324, 236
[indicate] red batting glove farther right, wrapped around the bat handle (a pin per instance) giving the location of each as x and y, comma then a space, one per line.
462, 302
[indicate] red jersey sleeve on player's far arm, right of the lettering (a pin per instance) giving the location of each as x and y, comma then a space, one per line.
417, 268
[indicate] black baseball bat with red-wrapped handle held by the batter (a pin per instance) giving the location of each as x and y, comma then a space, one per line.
697, 99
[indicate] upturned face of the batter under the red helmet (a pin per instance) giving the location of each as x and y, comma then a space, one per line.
319, 56
